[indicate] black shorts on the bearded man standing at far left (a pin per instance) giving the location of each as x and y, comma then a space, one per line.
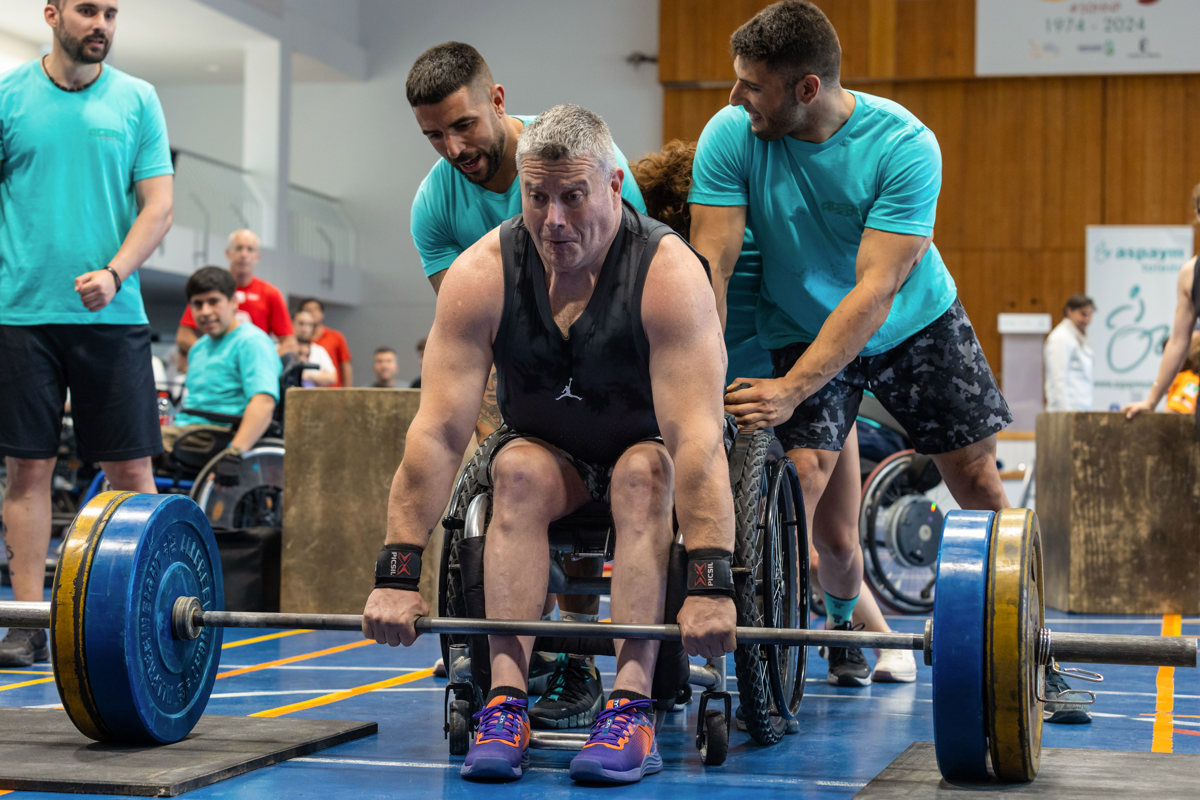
113, 398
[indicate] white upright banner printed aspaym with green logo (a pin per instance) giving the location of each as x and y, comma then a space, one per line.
1132, 272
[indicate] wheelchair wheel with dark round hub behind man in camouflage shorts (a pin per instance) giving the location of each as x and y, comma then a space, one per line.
901, 528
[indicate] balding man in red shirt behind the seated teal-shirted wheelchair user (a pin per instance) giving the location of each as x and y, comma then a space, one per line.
259, 302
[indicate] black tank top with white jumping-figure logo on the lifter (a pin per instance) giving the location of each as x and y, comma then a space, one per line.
590, 393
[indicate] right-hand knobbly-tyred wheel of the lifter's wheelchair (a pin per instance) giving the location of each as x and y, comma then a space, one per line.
771, 579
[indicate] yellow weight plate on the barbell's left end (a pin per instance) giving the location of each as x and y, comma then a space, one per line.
68, 601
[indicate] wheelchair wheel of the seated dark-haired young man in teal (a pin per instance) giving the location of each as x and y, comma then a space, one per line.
256, 501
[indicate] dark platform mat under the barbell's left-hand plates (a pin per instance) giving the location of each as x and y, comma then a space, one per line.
41, 751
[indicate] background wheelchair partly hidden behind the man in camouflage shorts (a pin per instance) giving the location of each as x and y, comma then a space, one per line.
901, 515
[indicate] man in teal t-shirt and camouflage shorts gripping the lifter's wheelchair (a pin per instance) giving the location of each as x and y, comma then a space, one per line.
839, 190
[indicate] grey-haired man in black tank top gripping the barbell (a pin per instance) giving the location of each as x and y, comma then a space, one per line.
610, 364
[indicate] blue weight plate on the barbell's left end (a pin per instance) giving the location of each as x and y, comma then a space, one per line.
151, 687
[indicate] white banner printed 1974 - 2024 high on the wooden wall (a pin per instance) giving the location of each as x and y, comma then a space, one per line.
1055, 38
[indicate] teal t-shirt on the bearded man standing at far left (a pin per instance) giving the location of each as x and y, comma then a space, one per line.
69, 161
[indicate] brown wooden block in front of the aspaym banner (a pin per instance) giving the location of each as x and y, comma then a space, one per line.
1119, 503
